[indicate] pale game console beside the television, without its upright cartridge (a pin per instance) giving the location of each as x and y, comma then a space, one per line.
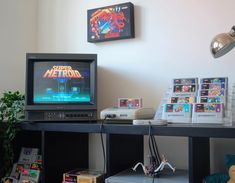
115, 113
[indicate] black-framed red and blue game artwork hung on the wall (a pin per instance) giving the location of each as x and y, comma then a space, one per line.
110, 23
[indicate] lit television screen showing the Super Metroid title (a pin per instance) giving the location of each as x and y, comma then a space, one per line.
61, 82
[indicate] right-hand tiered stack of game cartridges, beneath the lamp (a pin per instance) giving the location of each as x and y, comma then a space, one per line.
211, 100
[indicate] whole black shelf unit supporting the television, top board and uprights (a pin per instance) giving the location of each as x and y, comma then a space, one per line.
68, 142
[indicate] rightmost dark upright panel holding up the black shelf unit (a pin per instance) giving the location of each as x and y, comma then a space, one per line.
199, 158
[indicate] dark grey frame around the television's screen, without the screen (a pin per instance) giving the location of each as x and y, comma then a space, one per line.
31, 58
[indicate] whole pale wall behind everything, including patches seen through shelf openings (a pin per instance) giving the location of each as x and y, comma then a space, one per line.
172, 40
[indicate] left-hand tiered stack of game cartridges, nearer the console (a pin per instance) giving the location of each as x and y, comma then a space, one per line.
178, 109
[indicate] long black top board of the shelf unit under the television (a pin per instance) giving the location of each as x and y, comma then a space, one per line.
191, 130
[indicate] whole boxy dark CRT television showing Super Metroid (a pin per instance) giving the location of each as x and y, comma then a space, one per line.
61, 87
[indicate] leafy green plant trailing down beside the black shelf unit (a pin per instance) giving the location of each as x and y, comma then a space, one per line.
11, 113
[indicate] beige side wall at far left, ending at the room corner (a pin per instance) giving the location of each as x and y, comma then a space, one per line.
18, 34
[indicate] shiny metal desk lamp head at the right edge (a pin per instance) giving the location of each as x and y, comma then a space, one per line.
223, 43
